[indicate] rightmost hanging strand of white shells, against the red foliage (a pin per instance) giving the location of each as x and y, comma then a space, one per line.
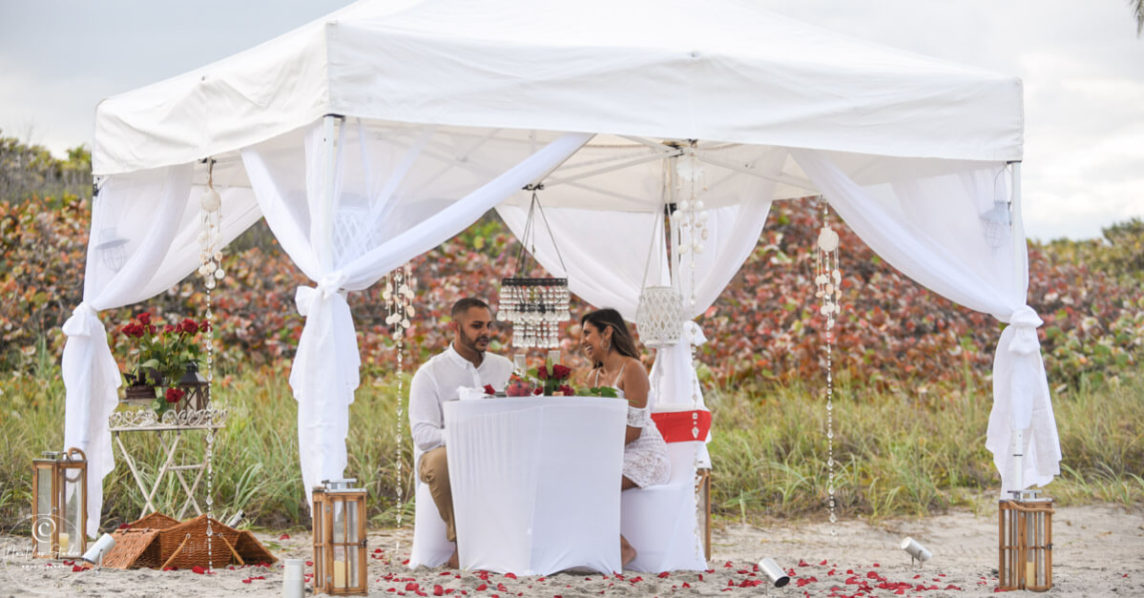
829, 293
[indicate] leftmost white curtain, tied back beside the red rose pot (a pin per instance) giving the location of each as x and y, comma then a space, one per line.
145, 240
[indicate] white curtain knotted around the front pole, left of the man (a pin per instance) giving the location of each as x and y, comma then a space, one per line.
388, 203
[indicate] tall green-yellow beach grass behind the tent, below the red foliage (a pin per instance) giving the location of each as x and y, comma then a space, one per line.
896, 455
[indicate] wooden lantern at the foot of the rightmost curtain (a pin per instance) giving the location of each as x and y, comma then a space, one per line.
1026, 531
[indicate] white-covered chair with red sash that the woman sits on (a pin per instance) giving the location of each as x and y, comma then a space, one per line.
662, 522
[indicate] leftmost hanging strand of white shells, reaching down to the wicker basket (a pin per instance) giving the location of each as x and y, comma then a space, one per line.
212, 273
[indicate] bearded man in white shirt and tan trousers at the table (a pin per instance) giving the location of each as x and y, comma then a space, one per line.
464, 364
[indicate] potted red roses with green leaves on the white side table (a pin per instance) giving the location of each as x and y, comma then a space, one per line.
163, 357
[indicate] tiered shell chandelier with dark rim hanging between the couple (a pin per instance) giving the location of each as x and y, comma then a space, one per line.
536, 307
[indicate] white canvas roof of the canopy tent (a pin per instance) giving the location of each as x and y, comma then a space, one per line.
720, 70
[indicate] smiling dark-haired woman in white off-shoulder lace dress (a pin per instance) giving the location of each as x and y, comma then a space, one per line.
607, 342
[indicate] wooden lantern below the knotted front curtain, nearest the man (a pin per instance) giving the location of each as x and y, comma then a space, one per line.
339, 539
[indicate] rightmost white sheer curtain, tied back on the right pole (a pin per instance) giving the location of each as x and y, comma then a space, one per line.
951, 233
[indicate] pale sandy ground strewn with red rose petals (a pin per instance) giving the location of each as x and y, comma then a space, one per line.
1098, 552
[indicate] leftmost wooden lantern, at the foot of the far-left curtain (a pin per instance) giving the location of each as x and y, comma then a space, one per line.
60, 505
